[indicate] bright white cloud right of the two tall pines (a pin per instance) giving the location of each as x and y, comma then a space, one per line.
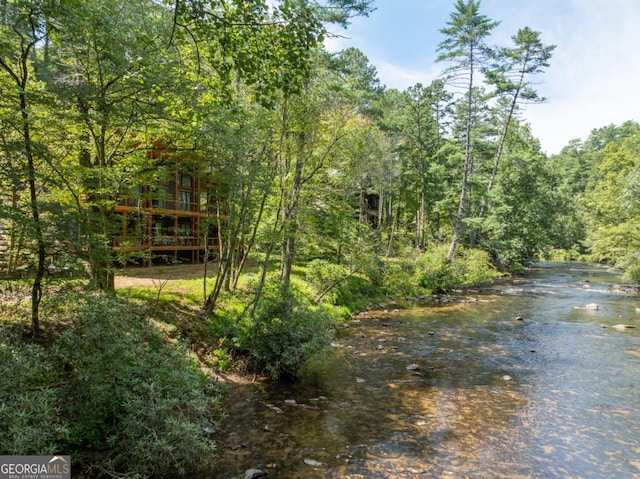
594, 75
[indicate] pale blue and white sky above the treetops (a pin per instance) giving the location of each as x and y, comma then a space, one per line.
594, 75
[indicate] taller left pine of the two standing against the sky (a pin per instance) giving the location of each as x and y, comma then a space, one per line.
465, 46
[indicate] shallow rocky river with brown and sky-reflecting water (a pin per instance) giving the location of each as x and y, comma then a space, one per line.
460, 390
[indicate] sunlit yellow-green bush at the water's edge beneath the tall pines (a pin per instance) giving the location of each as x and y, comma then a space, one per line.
434, 272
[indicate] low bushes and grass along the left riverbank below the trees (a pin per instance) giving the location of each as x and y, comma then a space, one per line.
127, 384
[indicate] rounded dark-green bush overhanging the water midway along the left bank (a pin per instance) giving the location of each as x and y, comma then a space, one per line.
285, 331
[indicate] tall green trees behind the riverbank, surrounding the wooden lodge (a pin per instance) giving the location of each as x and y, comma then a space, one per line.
309, 155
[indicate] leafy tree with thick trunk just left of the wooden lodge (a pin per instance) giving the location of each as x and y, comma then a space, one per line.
112, 66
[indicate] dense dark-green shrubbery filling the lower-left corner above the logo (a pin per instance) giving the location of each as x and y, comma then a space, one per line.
110, 381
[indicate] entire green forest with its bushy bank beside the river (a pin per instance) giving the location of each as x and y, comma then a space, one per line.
321, 191
